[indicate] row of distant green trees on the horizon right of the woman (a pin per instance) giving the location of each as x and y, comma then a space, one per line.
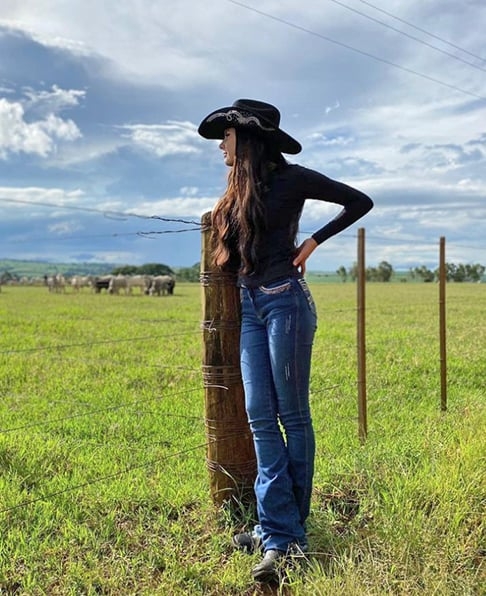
384, 273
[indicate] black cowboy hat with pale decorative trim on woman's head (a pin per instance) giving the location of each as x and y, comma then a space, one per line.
250, 115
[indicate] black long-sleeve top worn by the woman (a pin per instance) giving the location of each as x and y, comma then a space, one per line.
284, 200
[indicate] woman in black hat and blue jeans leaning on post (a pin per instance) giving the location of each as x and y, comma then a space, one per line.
254, 229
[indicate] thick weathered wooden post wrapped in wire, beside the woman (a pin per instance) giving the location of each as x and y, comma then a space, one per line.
230, 453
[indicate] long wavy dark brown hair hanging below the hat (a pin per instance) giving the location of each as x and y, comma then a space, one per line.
239, 218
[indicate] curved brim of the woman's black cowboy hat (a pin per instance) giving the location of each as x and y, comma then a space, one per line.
215, 123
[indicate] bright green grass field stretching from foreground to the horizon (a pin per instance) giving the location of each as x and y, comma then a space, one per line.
103, 481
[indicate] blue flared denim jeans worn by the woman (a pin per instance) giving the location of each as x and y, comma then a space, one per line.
277, 331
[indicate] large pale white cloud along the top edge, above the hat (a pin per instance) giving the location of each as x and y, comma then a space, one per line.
186, 43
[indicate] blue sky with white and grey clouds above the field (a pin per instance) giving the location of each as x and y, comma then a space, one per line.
100, 101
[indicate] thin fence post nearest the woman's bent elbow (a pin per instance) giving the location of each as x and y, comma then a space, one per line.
361, 339
